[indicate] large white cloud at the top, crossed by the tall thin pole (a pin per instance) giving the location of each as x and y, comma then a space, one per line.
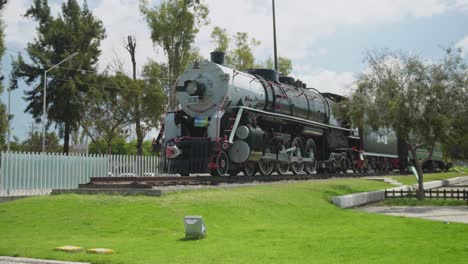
301, 23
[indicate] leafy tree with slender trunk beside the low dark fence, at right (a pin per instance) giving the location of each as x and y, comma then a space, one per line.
415, 99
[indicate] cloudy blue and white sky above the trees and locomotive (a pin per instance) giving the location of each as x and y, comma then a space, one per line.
326, 40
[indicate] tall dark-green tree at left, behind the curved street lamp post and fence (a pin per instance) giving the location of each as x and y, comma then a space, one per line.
74, 30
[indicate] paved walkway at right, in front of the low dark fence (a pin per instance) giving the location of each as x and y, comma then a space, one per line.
457, 214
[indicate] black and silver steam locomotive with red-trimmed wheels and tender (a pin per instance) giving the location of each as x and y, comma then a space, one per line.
259, 122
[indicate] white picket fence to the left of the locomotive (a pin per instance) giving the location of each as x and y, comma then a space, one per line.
37, 173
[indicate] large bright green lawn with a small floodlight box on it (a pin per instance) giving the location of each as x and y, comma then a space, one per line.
278, 223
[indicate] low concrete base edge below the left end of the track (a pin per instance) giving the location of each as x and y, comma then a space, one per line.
116, 191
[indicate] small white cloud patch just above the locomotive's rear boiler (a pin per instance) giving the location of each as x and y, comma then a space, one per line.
326, 81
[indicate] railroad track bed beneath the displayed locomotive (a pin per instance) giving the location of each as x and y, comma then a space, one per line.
150, 182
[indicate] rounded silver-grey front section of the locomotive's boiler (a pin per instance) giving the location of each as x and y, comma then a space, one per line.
204, 86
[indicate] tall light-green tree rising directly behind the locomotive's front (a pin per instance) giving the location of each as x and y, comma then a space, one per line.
174, 25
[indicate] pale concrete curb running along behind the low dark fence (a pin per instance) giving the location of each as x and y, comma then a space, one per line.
352, 200
